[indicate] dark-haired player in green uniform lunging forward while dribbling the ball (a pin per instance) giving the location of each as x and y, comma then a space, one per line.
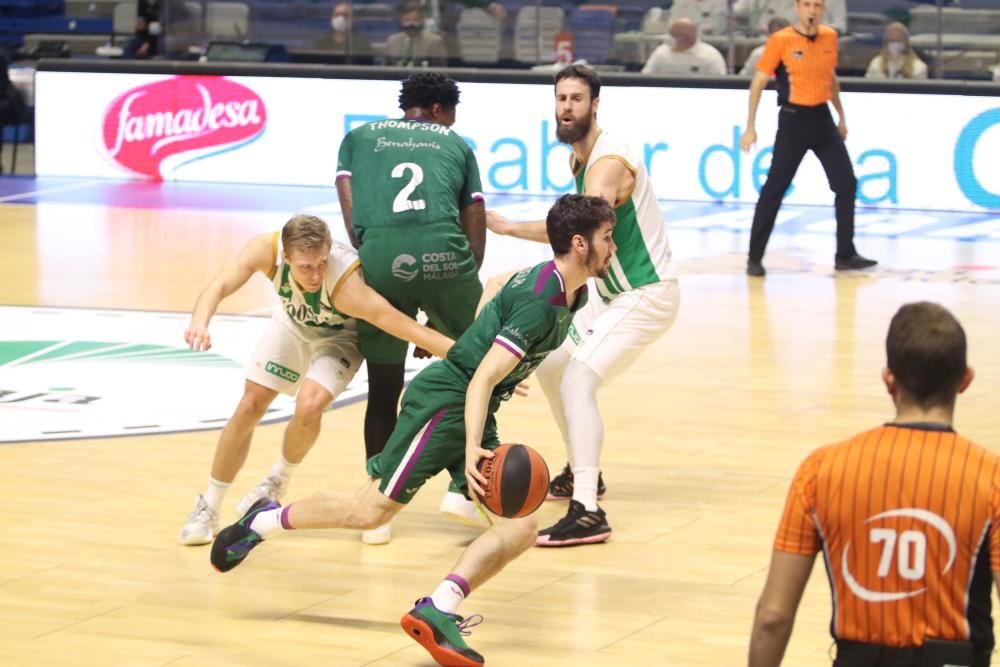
447, 423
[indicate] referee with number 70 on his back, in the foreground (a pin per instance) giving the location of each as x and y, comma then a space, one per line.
907, 516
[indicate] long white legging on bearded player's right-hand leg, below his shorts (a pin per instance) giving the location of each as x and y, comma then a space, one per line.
586, 430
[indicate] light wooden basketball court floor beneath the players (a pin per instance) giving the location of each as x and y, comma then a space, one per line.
702, 437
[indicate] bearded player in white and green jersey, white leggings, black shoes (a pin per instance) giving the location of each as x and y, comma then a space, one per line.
638, 302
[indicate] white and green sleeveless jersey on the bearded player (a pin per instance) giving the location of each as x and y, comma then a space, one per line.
643, 255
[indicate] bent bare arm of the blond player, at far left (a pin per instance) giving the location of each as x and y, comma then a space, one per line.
257, 255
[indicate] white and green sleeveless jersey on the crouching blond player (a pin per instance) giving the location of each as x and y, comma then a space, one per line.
314, 311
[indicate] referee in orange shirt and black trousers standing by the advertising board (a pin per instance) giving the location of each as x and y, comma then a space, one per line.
803, 59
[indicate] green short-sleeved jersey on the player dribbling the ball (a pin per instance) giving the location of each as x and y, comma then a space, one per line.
529, 317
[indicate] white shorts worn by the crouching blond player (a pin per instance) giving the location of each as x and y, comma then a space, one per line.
284, 357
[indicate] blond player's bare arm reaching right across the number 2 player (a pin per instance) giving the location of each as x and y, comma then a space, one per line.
357, 299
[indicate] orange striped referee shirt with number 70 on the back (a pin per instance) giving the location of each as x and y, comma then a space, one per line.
906, 517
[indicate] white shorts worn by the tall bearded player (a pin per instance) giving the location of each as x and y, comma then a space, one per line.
608, 337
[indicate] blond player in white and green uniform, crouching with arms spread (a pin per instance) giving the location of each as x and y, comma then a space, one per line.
308, 350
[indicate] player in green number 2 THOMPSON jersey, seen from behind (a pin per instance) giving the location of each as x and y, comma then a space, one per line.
411, 197
